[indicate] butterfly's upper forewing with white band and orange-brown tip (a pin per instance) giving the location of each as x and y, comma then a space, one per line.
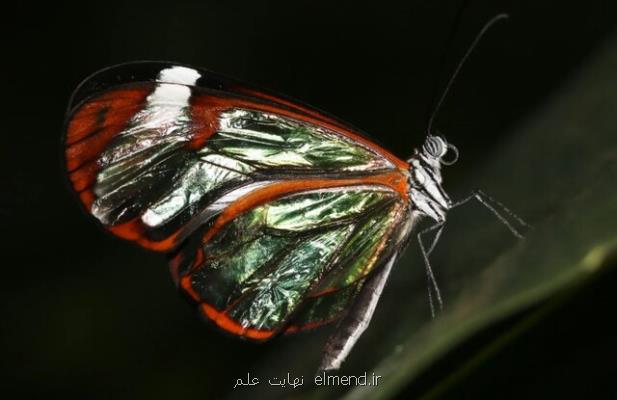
151, 158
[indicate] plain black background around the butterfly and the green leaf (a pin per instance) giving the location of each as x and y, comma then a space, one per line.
85, 314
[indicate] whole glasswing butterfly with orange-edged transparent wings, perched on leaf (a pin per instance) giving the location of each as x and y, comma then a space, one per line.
277, 217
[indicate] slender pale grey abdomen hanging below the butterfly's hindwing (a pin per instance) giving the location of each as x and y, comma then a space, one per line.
355, 322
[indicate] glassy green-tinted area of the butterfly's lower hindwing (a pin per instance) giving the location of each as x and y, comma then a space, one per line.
259, 270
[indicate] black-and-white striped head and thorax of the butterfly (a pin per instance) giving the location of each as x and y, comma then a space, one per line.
425, 191
